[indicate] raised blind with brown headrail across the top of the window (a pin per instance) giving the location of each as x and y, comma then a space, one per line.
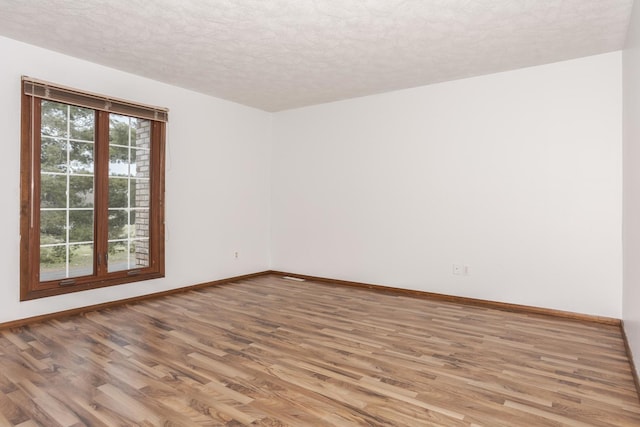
55, 92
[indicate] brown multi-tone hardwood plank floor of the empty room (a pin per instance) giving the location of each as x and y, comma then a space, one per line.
272, 352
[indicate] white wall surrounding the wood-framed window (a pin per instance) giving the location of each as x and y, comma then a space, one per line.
217, 181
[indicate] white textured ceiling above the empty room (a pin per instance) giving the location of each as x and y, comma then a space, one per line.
282, 54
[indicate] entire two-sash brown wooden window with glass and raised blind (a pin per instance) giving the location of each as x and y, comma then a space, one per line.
92, 191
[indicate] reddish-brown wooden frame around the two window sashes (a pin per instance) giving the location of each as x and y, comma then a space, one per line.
30, 285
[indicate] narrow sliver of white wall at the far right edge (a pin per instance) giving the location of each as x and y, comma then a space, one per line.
631, 210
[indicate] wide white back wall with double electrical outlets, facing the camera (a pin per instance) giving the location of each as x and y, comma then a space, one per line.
517, 175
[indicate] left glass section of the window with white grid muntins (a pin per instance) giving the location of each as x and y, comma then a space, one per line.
65, 191
